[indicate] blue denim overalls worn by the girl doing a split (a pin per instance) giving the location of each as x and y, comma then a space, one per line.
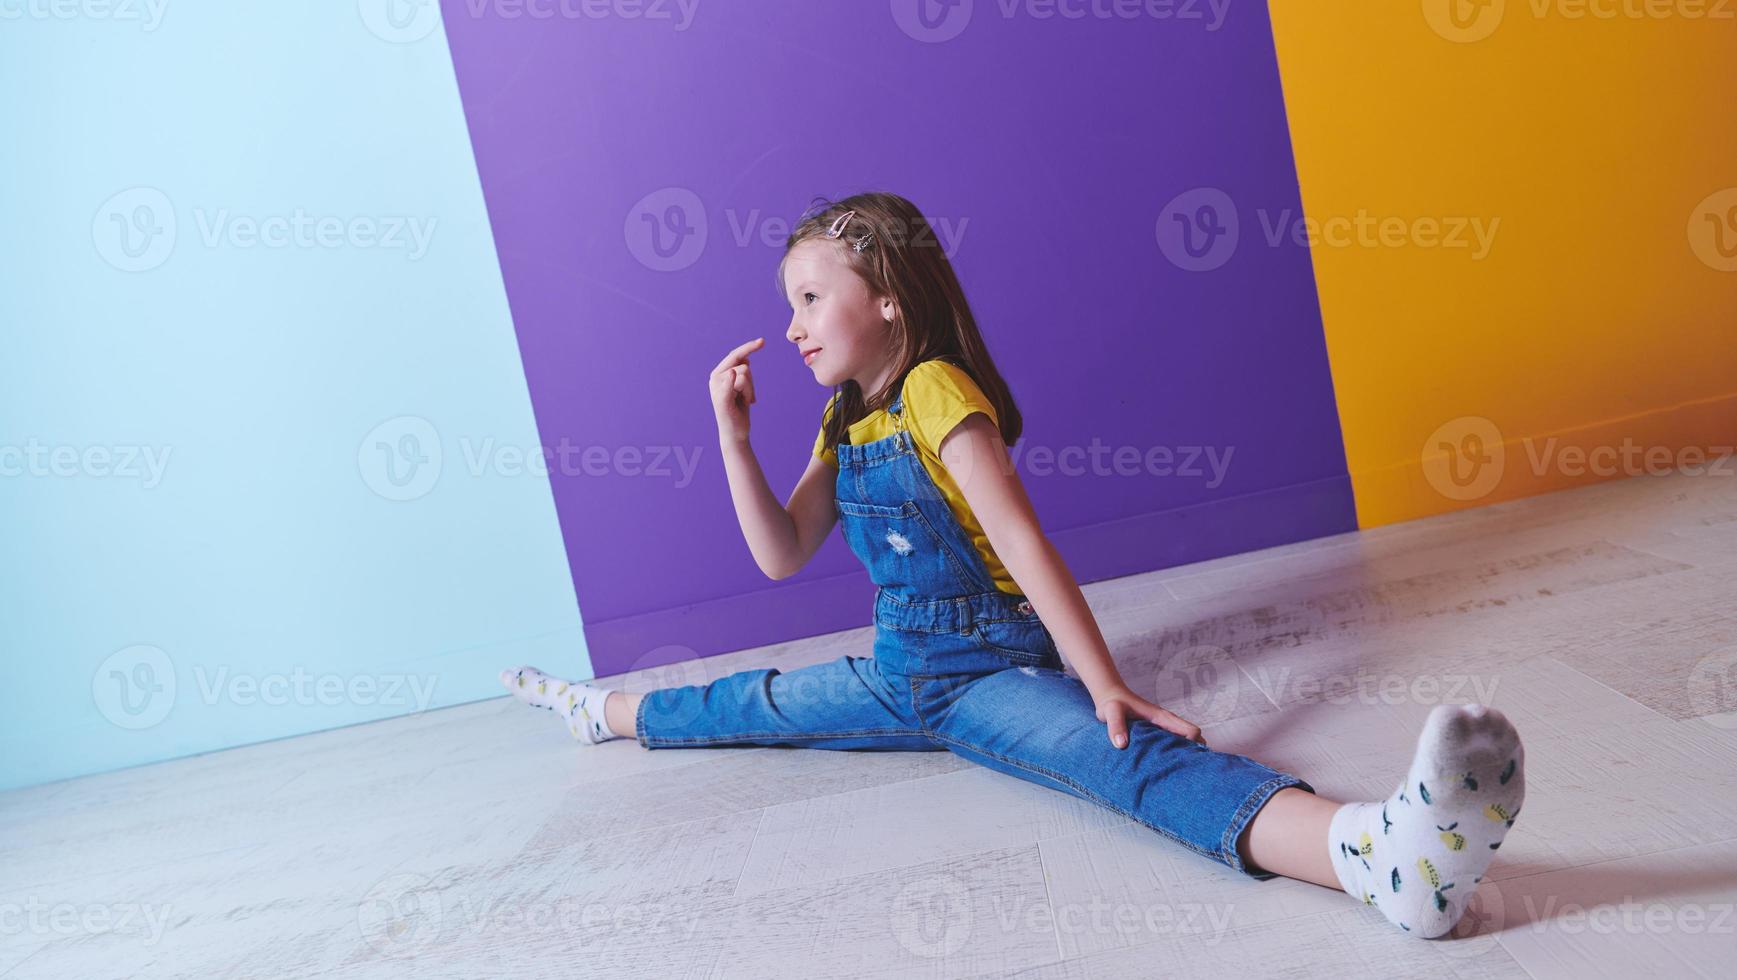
963, 666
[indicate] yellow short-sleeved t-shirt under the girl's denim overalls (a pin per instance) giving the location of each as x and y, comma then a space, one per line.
939, 395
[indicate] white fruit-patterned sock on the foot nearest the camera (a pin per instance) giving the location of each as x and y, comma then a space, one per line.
1420, 854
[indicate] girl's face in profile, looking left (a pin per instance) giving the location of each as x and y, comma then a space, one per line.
838, 319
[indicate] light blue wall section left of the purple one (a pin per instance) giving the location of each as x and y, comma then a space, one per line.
136, 611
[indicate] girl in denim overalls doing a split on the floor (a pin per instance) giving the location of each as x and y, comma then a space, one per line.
975, 609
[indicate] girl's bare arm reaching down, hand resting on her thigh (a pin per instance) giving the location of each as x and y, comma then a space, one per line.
977, 458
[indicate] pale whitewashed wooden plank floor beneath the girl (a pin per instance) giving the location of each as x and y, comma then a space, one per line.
482, 842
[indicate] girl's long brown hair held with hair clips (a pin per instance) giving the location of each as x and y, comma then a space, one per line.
904, 260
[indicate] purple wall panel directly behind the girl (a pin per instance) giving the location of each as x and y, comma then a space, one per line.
1053, 150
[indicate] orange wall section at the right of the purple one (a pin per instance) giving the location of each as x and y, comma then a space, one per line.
1599, 308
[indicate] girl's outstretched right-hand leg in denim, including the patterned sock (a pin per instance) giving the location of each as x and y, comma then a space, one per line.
1417, 856
